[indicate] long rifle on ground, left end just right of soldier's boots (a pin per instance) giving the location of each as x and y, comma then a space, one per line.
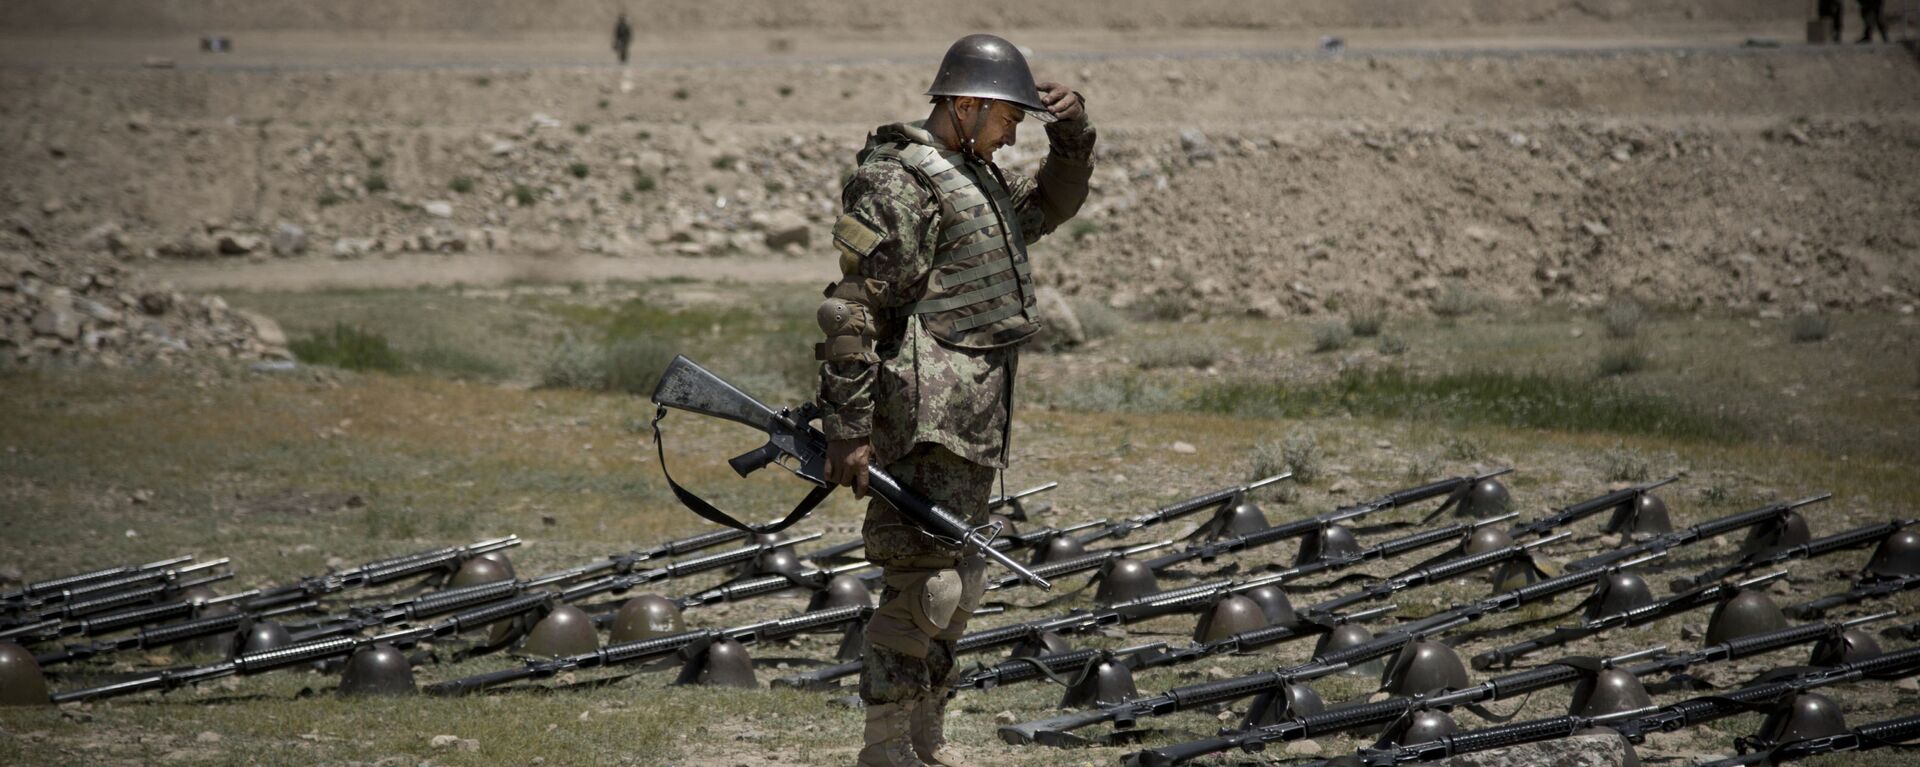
1057, 731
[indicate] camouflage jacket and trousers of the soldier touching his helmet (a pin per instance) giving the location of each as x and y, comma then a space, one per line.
938, 414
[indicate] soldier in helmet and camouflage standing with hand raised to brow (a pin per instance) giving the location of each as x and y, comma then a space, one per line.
923, 343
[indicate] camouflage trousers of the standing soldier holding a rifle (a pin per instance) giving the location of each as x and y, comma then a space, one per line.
930, 591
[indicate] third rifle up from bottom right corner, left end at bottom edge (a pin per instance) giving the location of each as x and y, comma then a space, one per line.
1550, 676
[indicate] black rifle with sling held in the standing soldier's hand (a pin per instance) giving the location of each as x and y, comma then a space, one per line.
798, 447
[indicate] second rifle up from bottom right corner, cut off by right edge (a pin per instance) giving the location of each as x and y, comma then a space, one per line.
1639, 724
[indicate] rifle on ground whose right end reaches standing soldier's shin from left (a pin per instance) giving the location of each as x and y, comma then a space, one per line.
654, 649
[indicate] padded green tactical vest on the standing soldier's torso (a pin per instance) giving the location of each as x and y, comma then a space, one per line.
980, 293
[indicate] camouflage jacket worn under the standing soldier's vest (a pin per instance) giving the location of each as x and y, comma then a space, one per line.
924, 391
